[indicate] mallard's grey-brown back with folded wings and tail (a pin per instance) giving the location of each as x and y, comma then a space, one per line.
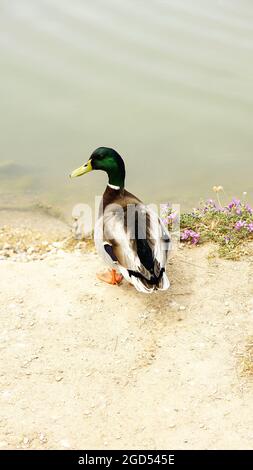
136, 240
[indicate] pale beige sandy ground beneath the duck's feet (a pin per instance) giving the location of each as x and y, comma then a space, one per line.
85, 365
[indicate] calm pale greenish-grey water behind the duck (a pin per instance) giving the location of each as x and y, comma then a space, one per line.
168, 83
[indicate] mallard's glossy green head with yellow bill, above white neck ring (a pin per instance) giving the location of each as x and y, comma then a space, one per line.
105, 159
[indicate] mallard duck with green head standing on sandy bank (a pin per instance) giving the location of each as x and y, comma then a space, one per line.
129, 236
